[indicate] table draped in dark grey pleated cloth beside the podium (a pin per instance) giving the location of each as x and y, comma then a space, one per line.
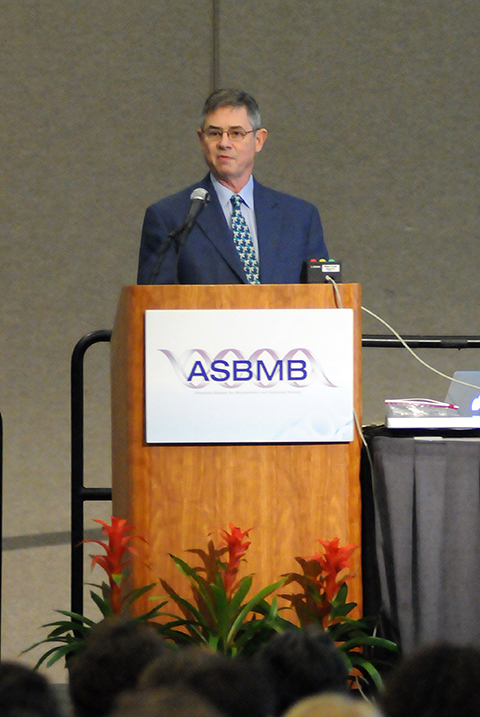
421, 555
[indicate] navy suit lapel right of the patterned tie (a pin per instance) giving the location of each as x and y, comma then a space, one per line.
268, 230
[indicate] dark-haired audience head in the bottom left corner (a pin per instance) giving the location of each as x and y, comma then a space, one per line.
25, 692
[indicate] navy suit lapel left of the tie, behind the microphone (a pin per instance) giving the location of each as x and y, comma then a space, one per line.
213, 224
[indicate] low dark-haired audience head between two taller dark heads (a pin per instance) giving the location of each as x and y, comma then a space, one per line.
233, 685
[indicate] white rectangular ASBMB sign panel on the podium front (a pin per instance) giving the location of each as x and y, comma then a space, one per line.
249, 376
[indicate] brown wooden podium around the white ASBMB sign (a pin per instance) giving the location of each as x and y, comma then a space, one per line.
176, 495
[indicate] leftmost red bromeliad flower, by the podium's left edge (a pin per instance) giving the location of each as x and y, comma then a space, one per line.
118, 554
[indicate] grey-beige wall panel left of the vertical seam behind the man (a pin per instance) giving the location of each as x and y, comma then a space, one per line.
97, 103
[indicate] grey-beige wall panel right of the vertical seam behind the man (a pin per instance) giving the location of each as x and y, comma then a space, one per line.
372, 109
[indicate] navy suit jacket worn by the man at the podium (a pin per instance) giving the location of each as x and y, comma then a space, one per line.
289, 233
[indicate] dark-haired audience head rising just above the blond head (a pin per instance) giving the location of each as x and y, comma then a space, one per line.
299, 663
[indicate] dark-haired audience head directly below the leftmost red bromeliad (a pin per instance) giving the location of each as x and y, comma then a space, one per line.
115, 653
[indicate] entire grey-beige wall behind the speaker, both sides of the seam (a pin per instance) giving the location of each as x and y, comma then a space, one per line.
372, 111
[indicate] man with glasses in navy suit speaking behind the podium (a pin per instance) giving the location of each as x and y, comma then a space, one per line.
228, 228
